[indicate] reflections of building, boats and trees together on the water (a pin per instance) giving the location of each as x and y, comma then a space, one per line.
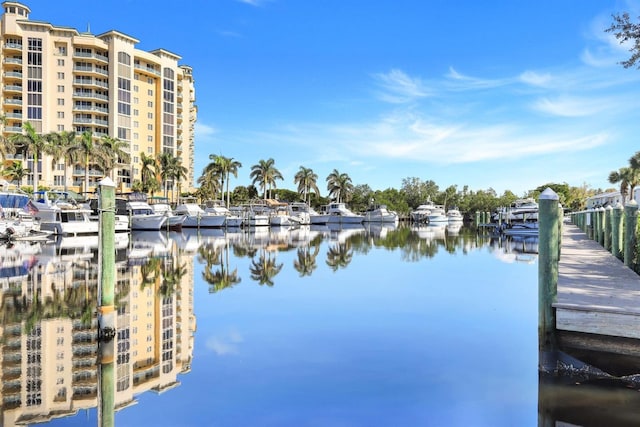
49, 344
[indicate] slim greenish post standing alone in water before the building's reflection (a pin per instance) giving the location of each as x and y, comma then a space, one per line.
106, 310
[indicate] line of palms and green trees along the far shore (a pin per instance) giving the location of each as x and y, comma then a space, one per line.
215, 182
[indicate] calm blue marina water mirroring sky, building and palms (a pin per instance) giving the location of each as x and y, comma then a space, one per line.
303, 327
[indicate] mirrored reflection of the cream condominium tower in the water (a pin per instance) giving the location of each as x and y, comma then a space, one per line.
51, 372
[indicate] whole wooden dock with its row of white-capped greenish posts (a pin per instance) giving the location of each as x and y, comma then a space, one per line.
589, 299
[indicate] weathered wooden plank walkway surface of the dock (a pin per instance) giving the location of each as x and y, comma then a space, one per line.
597, 293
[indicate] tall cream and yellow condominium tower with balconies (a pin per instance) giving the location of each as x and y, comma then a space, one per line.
59, 79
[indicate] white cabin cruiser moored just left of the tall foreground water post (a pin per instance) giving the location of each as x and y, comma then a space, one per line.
60, 214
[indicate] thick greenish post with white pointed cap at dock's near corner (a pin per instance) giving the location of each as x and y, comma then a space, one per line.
548, 259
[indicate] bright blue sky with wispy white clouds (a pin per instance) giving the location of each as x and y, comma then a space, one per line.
504, 95
